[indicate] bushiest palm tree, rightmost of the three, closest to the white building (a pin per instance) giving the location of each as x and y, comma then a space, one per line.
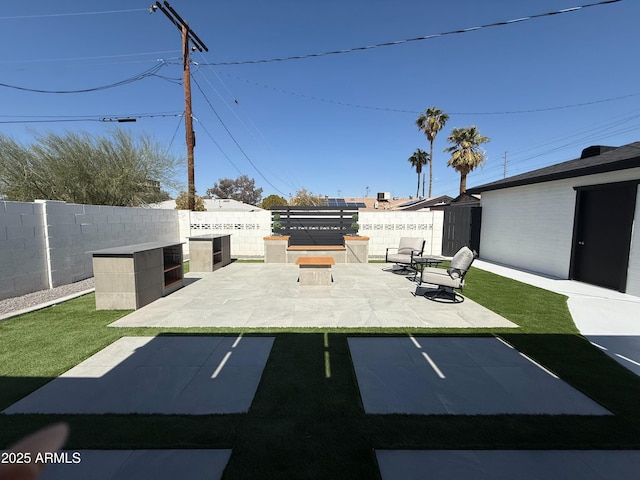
466, 153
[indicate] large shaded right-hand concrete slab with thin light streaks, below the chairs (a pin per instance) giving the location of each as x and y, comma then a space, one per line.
458, 376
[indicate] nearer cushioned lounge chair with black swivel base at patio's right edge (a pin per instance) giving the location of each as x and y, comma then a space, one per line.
450, 279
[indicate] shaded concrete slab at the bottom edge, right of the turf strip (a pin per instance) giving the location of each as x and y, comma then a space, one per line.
503, 464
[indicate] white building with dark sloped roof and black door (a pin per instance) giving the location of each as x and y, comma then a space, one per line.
573, 220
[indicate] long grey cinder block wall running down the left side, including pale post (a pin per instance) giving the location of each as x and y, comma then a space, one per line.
44, 244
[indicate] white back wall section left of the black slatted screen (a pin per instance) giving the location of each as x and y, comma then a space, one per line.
247, 229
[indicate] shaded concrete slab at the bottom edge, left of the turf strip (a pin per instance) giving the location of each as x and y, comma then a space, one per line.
138, 464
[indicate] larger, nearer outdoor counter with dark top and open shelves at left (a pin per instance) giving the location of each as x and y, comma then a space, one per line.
132, 276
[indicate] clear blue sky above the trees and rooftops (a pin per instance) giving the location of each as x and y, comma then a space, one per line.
337, 125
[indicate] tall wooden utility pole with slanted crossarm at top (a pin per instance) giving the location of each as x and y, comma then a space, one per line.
188, 35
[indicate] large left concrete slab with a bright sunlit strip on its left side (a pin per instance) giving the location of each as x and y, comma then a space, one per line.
165, 374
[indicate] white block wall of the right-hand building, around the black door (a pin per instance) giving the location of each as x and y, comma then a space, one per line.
531, 227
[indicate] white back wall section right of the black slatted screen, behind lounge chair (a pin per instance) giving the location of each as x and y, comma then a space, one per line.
384, 228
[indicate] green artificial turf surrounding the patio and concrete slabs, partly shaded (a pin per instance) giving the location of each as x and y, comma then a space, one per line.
307, 419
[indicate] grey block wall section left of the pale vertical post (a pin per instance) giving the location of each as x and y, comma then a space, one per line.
23, 263
